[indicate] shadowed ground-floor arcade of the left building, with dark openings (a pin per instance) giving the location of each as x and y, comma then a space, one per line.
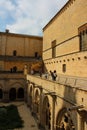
14, 92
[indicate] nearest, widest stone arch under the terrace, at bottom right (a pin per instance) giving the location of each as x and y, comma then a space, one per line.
64, 121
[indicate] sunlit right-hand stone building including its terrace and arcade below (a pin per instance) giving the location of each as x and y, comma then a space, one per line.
62, 104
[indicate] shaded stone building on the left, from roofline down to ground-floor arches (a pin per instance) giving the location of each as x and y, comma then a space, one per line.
17, 52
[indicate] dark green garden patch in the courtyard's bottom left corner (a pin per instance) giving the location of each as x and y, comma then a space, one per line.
10, 118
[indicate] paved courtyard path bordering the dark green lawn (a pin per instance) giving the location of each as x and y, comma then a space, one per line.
29, 121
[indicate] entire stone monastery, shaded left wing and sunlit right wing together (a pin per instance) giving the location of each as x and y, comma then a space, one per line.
59, 104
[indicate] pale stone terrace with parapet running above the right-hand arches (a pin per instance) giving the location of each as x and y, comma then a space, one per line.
69, 81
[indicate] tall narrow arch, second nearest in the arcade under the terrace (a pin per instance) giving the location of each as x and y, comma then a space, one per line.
46, 113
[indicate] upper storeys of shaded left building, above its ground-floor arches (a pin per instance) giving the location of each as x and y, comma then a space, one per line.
17, 50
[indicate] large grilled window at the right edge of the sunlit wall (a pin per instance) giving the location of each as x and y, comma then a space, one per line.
83, 37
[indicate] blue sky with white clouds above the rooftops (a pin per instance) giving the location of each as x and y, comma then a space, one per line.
28, 16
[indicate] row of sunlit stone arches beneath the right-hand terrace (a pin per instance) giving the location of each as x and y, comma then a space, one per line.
43, 106
